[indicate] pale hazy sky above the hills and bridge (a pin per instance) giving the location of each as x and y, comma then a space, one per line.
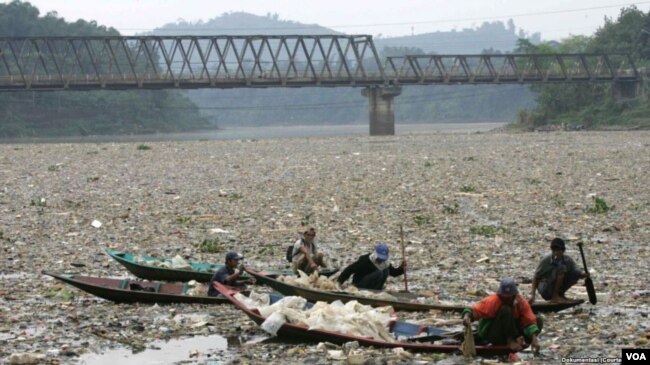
555, 19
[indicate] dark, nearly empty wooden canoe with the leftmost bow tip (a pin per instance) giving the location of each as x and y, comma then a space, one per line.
136, 291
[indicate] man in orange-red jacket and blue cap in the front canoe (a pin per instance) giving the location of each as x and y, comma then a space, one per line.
505, 318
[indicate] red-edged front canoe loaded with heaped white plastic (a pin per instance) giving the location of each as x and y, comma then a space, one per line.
411, 336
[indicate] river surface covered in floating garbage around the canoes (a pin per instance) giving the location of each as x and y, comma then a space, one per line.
474, 207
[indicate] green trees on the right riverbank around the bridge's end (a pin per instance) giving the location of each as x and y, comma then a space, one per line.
594, 105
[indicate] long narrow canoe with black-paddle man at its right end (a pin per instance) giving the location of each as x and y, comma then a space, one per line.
404, 301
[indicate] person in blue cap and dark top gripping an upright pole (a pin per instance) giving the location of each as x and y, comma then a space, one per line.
371, 270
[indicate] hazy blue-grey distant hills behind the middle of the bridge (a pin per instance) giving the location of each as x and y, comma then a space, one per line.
346, 105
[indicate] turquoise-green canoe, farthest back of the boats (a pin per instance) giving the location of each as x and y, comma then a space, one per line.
154, 268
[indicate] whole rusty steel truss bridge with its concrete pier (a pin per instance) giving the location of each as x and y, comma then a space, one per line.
190, 62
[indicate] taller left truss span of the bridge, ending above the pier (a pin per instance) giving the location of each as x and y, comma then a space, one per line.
156, 62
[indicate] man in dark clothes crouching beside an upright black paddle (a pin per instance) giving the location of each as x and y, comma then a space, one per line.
555, 274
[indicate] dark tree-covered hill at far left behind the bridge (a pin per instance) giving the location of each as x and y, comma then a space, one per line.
65, 113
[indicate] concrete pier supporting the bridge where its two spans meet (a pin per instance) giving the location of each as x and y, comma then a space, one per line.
380, 108
